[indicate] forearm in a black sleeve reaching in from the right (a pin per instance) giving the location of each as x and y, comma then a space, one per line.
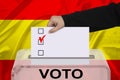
97, 19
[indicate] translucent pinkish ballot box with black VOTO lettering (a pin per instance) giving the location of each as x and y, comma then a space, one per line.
97, 69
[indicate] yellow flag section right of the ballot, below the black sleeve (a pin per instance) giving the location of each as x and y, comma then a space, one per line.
107, 41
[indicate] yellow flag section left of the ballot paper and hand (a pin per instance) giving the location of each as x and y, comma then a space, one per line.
15, 35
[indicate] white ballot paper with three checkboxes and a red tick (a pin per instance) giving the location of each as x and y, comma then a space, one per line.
67, 43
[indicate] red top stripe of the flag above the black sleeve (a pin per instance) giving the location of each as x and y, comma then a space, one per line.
43, 9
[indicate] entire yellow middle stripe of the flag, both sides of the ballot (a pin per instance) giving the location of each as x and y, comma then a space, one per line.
15, 35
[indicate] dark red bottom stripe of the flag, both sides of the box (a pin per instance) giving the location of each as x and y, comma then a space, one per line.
6, 67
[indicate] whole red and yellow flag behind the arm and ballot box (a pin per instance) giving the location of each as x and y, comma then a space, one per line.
17, 17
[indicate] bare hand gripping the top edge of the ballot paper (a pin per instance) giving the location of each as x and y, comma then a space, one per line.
57, 22
